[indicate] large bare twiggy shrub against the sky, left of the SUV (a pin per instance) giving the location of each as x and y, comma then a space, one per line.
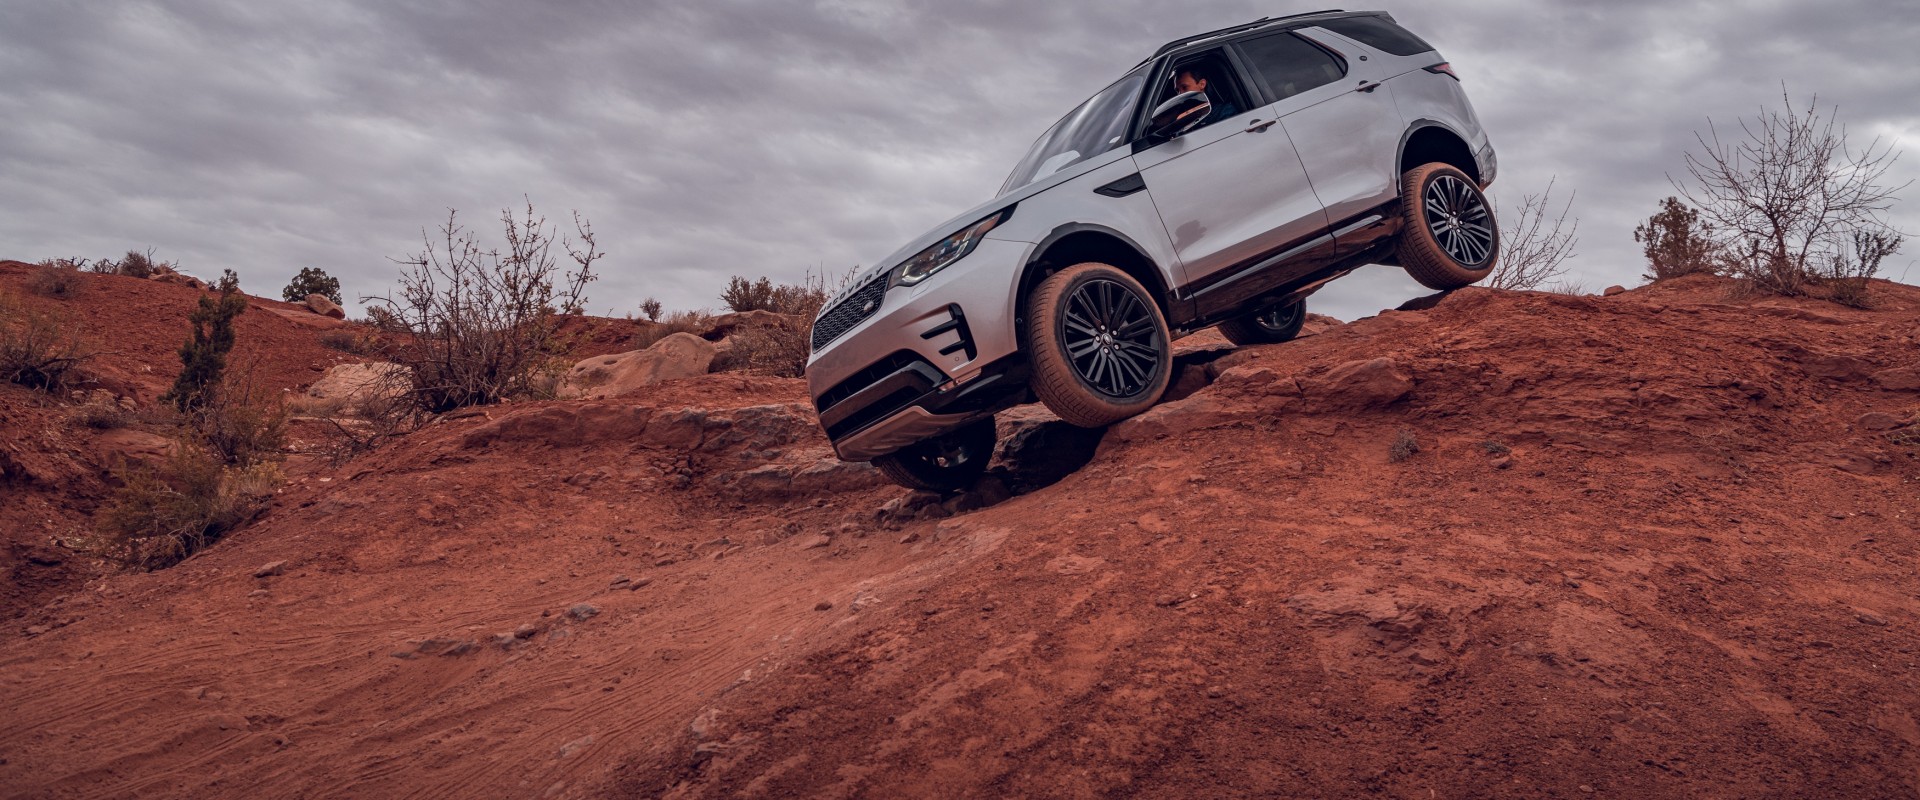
483, 325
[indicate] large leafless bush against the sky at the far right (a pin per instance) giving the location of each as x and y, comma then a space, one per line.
1790, 200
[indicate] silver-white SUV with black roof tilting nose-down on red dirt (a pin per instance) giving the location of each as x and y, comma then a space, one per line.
1222, 181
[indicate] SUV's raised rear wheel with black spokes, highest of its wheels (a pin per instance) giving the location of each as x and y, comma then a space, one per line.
1449, 237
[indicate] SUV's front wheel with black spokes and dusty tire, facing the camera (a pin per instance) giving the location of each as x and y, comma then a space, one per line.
1099, 346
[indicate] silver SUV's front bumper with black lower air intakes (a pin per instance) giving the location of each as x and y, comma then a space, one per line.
928, 360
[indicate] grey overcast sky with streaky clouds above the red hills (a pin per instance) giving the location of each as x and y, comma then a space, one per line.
731, 137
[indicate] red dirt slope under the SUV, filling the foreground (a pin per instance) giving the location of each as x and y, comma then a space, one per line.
1692, 575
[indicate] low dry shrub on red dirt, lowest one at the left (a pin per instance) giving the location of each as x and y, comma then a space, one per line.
166, 513
